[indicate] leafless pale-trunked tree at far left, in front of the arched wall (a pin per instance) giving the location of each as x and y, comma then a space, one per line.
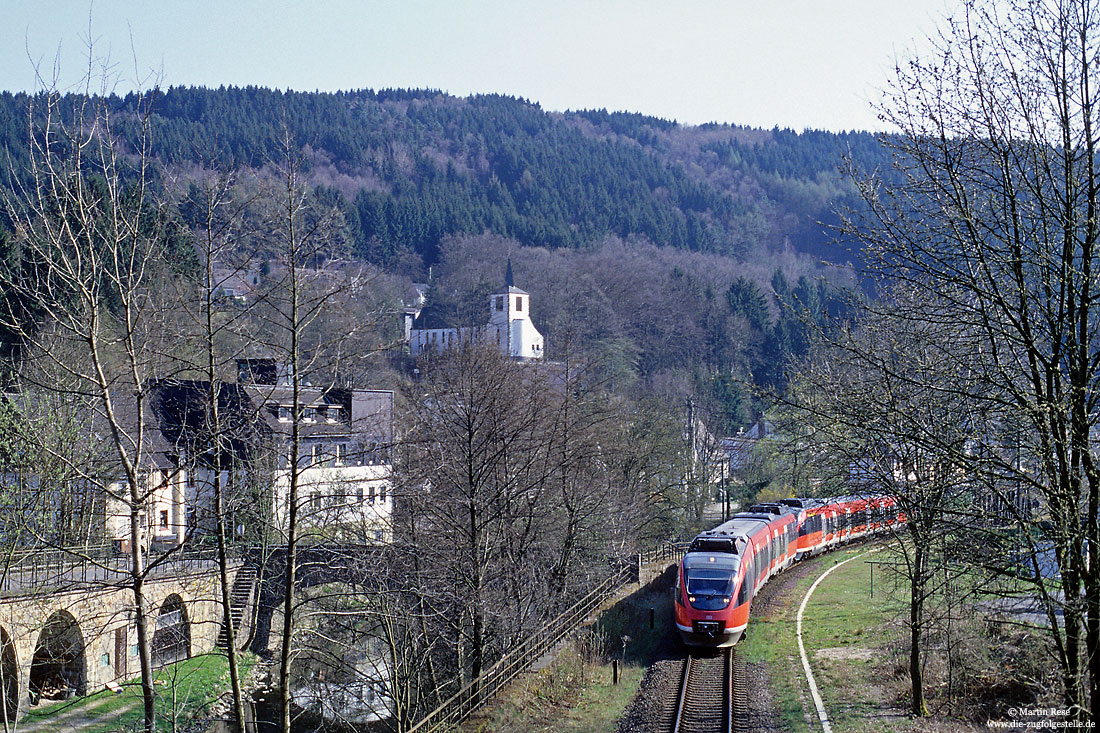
91, 239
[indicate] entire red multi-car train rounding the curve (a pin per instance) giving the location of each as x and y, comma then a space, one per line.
725, 567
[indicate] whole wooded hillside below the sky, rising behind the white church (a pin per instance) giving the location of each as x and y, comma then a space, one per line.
683, 257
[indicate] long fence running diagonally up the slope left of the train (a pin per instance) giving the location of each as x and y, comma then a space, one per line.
522, 659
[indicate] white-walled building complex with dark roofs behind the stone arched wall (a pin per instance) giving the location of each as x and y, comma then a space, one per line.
344, 468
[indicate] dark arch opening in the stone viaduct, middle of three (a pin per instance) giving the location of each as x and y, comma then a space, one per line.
59, 669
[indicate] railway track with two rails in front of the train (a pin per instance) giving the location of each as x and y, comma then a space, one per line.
709, 694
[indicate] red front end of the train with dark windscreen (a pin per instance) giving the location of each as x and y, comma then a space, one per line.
707, 608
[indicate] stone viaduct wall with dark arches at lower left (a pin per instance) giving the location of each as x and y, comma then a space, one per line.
74, 634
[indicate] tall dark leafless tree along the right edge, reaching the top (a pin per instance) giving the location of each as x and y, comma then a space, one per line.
991, 213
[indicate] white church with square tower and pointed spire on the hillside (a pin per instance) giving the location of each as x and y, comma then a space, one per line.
510, 327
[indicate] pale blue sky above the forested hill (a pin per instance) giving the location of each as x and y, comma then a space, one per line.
793, 63
